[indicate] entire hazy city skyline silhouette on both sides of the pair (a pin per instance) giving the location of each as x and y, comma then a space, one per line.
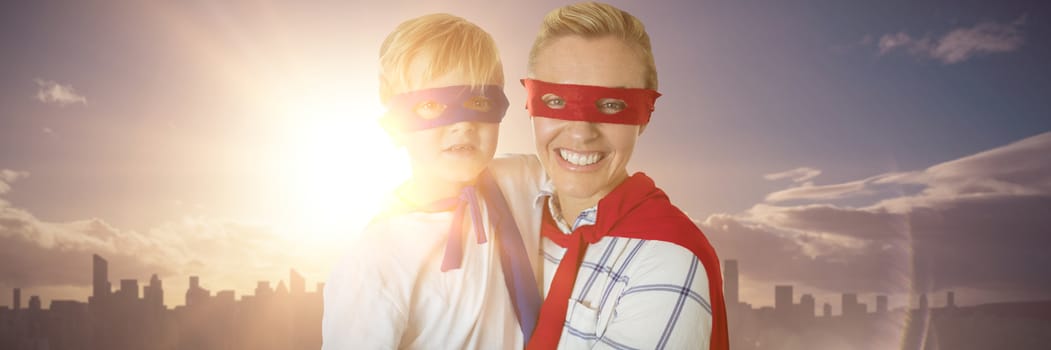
290, 318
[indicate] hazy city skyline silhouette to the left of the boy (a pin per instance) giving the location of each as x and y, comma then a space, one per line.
126, 320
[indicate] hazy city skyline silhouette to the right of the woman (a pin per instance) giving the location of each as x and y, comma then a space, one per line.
790, 325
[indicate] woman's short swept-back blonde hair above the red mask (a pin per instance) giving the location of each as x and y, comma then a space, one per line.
593, 20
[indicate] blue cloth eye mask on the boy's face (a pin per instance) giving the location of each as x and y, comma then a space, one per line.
432, 108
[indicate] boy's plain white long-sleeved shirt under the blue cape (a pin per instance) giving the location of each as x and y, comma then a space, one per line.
389, 293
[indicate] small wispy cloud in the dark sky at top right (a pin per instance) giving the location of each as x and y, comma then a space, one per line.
959, 45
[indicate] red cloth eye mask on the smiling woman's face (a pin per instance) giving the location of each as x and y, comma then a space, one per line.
586, 102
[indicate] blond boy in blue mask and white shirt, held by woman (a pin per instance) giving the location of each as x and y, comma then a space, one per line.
444, 266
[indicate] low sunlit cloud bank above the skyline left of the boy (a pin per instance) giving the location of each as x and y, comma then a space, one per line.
39, 255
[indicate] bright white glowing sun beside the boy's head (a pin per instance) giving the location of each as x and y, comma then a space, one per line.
342, 166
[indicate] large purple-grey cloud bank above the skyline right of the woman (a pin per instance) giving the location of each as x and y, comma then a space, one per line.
977, 223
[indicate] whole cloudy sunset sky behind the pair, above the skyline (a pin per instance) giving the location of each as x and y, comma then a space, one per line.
839, 147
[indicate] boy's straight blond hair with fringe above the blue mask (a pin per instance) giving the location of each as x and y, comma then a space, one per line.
449, 43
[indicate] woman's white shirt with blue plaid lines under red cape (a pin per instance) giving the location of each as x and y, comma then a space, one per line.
630, 294
